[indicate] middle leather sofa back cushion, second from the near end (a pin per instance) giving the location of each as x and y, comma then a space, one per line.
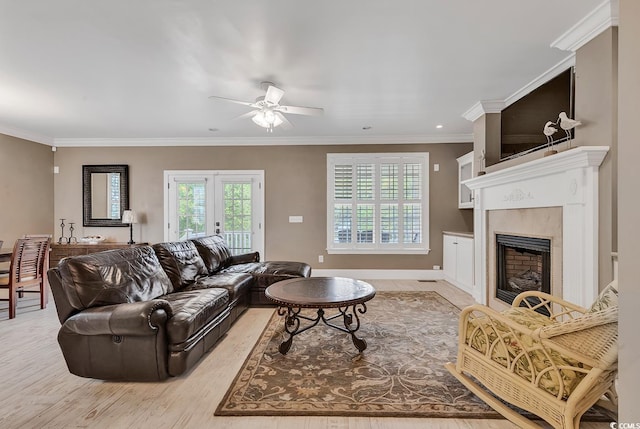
181, 261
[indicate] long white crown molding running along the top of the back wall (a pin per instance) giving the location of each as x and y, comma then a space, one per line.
262, 141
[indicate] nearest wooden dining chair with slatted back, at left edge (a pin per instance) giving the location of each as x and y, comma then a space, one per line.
26, 272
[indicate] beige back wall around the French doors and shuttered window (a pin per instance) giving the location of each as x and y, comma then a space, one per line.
295, 184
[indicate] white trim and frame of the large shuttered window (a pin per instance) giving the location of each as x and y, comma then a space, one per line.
377, 159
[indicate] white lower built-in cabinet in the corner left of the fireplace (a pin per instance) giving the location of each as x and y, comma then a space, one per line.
457, 264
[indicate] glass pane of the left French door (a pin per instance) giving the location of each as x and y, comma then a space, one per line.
191, 210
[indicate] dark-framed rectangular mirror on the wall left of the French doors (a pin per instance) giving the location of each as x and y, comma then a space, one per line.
105, 194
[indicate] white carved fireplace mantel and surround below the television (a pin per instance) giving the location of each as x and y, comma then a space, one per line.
569, 180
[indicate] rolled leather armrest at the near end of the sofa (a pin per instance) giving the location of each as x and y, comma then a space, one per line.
134, 319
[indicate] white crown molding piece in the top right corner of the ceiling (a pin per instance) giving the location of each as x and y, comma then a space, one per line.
602, 17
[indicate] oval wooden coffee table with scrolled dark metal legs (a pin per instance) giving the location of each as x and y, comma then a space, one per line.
346, 295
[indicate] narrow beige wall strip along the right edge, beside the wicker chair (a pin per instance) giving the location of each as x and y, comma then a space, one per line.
629, 209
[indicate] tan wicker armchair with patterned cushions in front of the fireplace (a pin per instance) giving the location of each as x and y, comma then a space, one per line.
544, 355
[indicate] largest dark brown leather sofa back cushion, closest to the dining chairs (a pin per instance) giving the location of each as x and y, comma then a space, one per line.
113, 277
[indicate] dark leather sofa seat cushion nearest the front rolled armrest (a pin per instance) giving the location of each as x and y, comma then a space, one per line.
192, 310
